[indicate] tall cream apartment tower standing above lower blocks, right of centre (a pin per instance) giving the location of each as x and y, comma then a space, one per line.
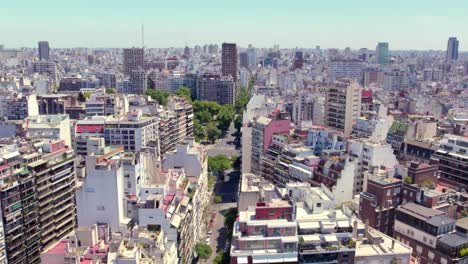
343, 105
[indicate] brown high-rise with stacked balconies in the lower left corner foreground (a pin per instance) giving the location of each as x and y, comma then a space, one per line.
37, 198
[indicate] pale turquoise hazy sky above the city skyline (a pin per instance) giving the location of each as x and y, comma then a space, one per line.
405, 24
